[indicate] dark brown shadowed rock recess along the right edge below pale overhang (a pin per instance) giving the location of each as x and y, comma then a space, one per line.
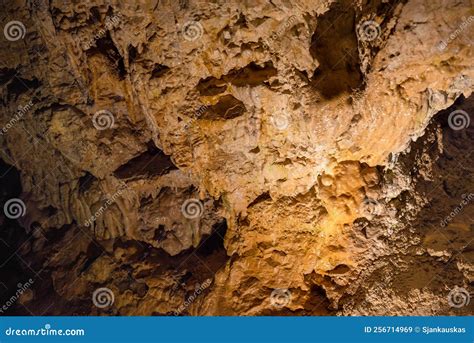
440, 163
